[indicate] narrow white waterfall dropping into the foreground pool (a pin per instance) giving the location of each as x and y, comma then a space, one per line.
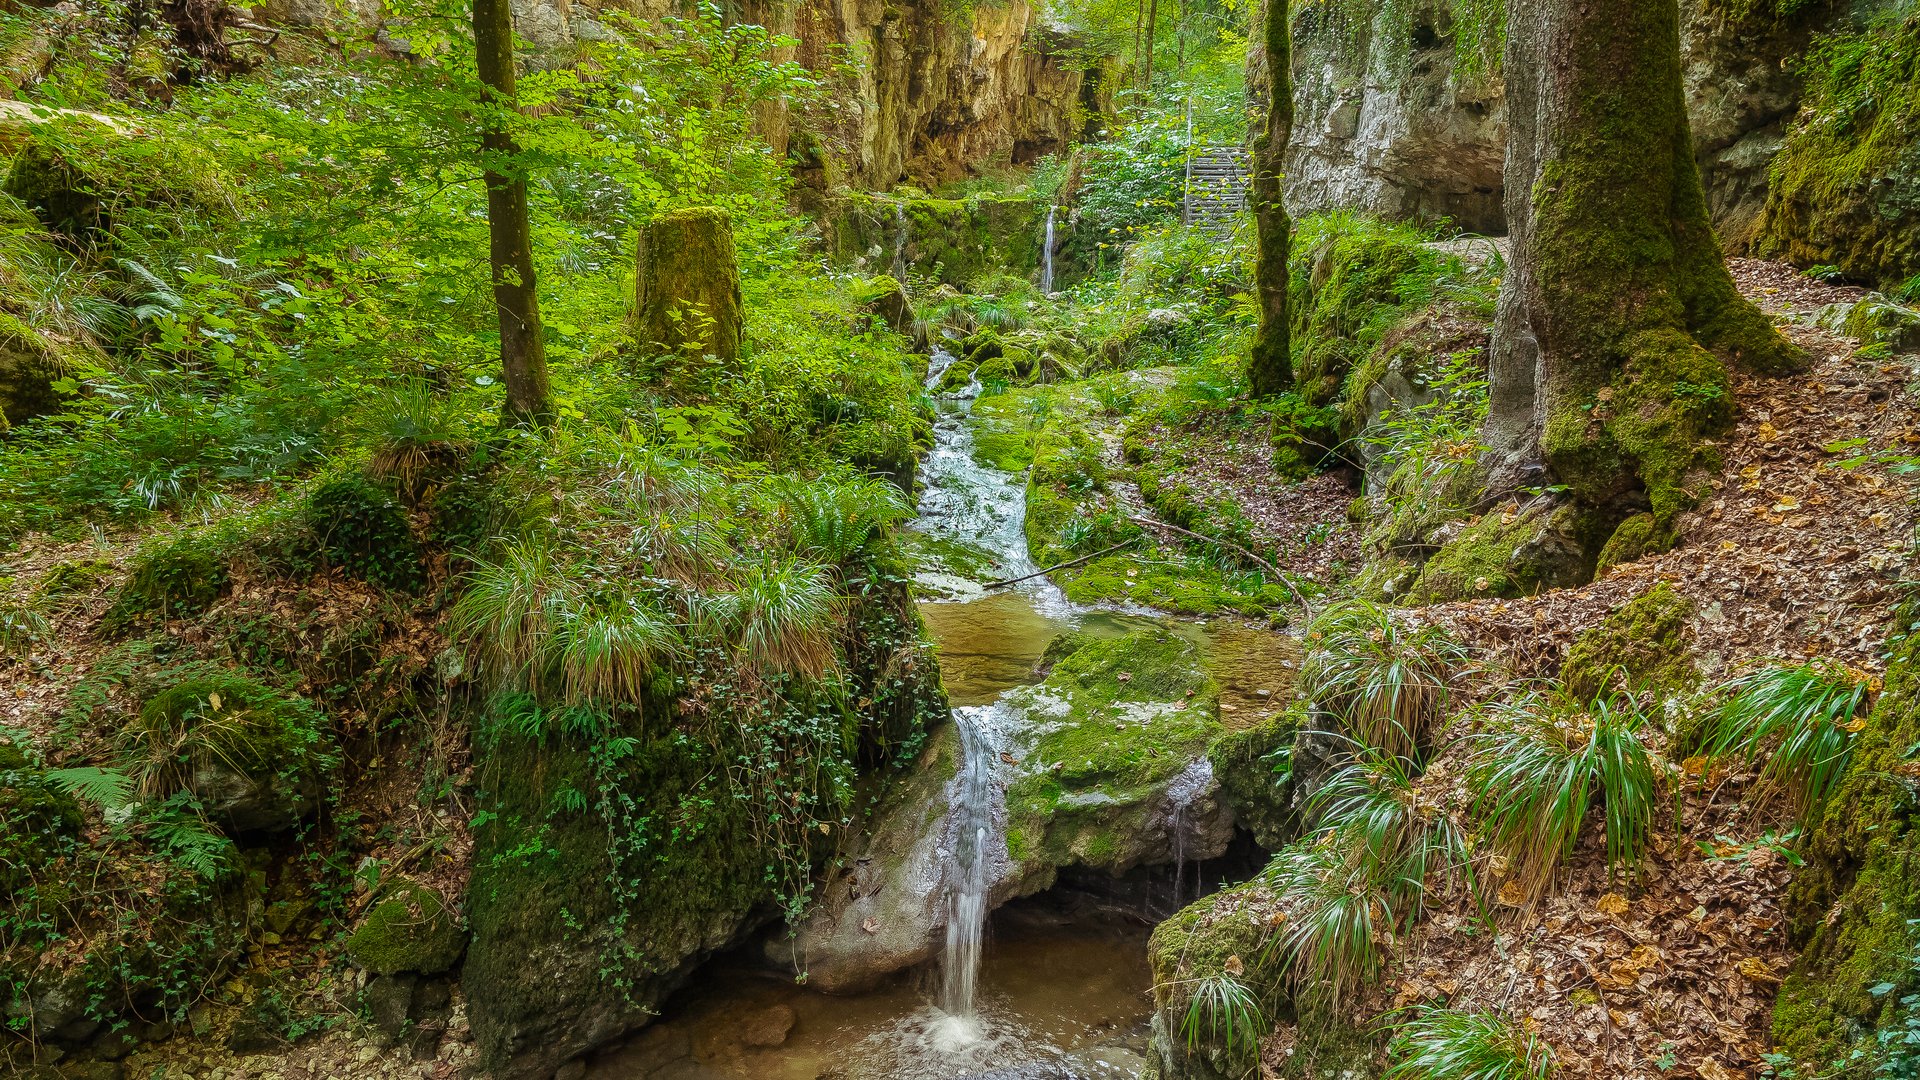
969, 873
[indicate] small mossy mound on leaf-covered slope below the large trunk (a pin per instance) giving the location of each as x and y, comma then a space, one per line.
1646, 643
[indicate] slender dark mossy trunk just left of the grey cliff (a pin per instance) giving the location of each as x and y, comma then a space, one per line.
1270, 368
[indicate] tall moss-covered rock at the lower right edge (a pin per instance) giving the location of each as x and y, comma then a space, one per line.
1860, 896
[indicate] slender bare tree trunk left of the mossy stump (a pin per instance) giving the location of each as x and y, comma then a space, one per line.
523, 353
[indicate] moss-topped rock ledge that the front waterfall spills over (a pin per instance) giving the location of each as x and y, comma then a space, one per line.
1101, 768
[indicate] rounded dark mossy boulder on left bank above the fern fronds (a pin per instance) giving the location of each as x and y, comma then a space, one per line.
258, 760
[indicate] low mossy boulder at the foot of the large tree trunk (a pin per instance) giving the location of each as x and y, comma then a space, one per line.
1512, 552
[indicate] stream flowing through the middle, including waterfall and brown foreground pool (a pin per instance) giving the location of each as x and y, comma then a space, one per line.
1030, 993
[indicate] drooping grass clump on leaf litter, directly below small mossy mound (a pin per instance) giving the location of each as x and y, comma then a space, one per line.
1539, 770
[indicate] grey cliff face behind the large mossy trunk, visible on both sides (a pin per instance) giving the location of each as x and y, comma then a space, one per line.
1414, 137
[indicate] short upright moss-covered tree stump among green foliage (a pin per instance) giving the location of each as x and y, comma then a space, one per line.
688, 285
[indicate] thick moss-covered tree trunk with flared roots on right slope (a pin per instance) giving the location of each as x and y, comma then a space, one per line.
1618, 316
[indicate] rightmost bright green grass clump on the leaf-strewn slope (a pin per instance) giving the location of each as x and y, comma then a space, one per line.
1802, 720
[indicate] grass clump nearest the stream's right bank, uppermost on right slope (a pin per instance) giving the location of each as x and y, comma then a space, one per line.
1387, 685
